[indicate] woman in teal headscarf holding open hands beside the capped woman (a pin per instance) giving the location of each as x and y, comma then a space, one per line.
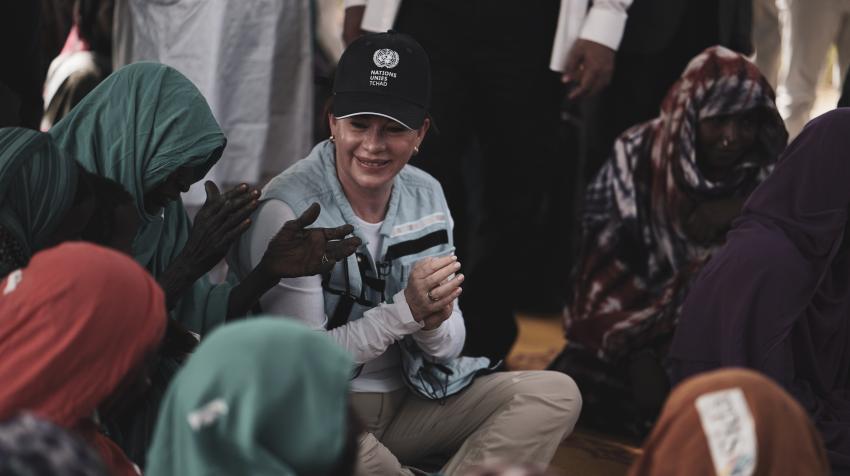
150, 129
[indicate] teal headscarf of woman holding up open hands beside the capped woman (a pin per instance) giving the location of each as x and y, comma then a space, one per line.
137, 127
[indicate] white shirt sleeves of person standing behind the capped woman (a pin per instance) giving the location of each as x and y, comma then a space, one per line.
604, 23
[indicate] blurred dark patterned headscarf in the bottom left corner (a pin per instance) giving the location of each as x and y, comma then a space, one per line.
31, 446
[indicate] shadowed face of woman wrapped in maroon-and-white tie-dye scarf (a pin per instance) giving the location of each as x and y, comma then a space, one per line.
722, 141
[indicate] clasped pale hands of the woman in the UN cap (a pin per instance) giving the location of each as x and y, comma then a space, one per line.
430, 293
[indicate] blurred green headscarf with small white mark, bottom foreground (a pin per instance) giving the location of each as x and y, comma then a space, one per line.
265, 396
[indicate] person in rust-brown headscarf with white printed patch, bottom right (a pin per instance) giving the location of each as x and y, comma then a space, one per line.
732, 422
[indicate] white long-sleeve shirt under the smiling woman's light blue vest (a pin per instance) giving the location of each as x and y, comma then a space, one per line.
371, 340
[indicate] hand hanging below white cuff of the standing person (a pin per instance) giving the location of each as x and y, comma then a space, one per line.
590, 66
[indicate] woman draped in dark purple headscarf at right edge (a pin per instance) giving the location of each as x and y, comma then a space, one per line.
776, 296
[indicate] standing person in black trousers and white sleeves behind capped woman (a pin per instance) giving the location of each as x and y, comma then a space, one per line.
493, 82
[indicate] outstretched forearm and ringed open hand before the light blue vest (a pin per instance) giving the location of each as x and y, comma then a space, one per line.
295, 251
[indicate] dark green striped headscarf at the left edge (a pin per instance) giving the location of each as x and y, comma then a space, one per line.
37, 188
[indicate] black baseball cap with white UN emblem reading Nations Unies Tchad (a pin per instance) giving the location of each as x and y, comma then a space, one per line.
384, 74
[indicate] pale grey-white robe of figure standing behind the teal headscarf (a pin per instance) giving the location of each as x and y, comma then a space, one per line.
252, 61
